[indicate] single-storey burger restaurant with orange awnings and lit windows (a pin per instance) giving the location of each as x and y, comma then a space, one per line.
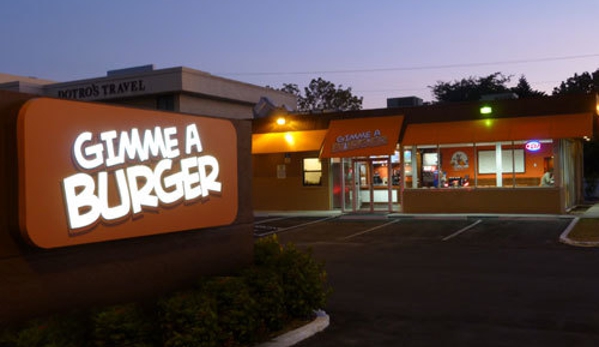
493, 156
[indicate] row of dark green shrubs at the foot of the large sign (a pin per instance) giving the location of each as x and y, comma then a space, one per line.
284, 283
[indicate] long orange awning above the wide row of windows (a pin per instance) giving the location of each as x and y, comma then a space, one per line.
500, 129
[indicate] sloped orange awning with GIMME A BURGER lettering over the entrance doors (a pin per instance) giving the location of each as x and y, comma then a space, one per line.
361, 137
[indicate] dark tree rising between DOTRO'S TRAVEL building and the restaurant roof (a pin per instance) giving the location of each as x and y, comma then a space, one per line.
321, 95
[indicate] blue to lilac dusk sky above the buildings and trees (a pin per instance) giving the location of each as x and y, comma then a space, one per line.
381, 49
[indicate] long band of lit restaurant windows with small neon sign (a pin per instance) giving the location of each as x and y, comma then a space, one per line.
508, 164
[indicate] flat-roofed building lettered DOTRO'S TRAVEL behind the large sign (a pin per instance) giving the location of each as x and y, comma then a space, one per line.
179, 89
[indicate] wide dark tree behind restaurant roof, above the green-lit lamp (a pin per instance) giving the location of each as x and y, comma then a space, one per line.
473, 88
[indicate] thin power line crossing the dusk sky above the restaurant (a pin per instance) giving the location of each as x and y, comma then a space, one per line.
411, 68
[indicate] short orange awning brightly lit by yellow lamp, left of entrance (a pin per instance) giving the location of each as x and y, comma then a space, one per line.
291, 141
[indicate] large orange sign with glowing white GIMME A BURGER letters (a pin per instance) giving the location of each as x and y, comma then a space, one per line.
92, 173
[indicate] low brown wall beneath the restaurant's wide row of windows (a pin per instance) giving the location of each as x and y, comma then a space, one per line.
487, 200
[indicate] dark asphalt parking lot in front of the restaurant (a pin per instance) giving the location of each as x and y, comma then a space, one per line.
449, 280
